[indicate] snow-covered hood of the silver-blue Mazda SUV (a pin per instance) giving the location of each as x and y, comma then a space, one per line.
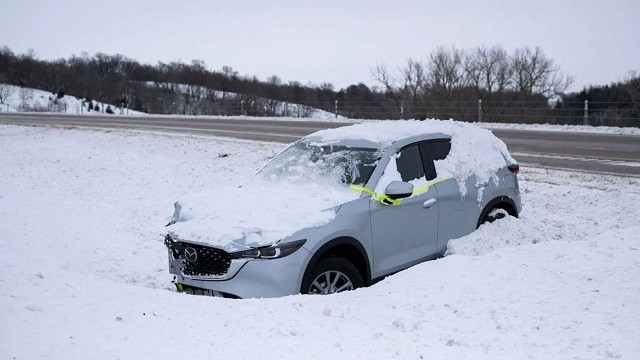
257, 214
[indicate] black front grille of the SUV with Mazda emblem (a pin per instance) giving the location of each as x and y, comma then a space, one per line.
210, 261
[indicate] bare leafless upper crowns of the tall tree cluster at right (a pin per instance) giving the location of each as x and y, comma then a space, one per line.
484, 69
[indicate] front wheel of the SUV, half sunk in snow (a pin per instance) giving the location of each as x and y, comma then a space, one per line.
331, 275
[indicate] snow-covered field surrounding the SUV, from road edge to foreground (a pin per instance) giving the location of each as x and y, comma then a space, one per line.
85, 271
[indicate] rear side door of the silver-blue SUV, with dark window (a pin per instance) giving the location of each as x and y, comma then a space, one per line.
457, 213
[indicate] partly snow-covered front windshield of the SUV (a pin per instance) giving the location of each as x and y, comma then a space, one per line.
327, 164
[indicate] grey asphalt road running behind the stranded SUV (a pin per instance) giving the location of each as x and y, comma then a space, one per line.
599, 153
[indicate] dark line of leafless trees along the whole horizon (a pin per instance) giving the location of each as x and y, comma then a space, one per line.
484, 83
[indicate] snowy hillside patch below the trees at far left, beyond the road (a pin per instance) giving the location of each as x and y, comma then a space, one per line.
24, 99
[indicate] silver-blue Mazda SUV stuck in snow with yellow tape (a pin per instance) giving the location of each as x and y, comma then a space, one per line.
341, 209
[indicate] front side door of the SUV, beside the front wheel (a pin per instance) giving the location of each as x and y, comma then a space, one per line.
404, 234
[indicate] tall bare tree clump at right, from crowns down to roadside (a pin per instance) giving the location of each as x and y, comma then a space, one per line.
450, 82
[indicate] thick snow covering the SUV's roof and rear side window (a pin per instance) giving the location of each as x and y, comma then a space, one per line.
474, 150
